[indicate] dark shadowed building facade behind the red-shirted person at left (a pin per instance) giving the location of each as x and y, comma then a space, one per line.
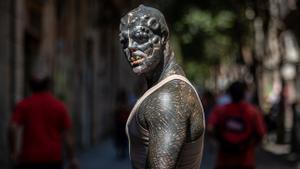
77, 43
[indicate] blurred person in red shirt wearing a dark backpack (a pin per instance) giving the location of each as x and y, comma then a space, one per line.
238, 127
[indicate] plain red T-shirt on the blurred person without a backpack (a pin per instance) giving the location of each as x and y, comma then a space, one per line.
43, 119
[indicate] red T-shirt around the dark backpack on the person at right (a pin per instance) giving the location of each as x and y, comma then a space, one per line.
246, 159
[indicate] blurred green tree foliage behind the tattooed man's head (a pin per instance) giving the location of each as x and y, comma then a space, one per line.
207, 33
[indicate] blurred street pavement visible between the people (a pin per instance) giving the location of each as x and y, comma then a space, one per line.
103, 156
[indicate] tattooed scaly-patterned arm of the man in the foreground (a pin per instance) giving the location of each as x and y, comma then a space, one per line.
167, 119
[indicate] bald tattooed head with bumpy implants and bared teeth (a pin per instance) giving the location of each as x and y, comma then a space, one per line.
144, 36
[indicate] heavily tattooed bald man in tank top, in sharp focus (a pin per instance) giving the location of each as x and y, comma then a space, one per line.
165, 128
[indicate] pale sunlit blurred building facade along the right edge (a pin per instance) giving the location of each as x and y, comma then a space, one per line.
276, 59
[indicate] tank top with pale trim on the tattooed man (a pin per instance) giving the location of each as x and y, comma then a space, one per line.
191, 154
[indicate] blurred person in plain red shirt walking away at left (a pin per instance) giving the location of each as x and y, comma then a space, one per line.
44, 122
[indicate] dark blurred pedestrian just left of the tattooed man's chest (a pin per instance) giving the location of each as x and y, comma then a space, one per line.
122, 112
